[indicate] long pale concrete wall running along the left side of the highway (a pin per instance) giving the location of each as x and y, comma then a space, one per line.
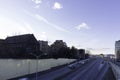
10, 68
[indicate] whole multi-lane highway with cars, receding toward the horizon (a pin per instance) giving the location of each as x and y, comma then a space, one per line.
92, 69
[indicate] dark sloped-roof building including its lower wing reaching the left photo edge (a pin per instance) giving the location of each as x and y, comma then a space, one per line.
19, 46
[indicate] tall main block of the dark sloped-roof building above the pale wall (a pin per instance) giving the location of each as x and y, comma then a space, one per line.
22, 45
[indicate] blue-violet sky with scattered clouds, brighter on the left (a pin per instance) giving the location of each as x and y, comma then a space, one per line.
90, 24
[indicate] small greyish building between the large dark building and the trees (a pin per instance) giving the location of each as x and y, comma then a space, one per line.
44, 47
